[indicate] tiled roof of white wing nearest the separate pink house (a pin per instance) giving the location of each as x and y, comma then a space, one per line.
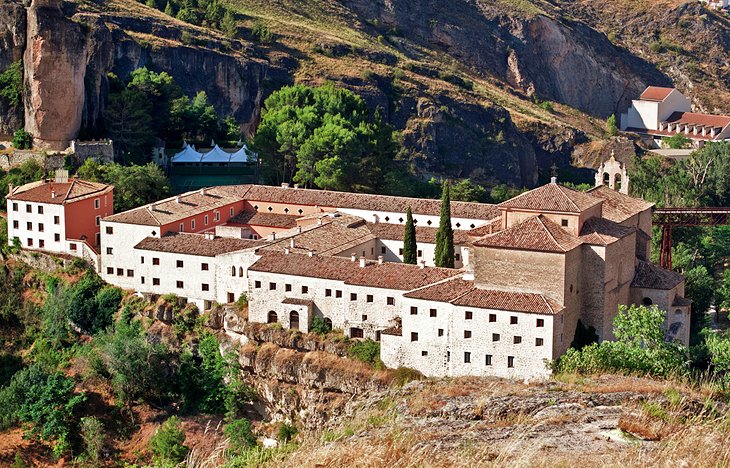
195, 244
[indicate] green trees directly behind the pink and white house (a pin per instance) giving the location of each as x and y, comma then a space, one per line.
133, 185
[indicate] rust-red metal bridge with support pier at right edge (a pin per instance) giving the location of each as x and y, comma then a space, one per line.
668, 218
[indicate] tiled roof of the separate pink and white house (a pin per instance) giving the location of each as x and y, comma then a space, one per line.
59, 193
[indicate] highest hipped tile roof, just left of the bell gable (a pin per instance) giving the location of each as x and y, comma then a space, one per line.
552, 197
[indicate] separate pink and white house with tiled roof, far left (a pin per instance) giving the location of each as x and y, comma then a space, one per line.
60, 215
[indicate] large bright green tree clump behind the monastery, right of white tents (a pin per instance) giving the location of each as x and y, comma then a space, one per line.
323, 137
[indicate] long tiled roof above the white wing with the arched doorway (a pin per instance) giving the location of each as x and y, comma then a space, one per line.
387, 275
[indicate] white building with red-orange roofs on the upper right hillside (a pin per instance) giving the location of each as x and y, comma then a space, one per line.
664, 112
